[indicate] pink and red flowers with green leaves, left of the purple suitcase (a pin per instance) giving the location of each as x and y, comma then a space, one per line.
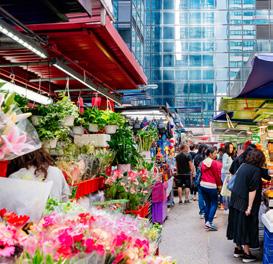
134, 186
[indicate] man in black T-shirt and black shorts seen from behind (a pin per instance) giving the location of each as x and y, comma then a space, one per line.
185, 171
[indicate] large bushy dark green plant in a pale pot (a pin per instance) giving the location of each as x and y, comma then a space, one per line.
122, 142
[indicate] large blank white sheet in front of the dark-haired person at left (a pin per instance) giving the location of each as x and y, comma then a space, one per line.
24, 197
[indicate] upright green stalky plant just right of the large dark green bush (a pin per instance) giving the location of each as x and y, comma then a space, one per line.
146, 137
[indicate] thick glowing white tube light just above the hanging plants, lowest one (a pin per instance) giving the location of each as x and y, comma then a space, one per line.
13, 88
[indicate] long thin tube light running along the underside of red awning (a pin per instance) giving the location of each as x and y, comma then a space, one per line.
62, 67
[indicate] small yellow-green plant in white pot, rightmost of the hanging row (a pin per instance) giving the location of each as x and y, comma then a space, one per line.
113, 121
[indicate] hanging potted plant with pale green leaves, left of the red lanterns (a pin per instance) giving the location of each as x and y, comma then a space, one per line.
67, 110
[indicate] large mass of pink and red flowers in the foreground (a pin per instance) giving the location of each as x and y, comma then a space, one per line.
78, 236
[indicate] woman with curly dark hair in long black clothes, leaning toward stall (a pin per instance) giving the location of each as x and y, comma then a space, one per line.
244, 206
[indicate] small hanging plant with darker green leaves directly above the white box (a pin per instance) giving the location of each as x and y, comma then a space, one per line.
93, 119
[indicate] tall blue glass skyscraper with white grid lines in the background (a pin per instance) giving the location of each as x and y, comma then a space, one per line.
199, 50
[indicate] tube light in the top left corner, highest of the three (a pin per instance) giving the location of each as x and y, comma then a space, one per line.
7, 30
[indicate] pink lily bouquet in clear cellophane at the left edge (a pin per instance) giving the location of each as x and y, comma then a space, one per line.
17, 134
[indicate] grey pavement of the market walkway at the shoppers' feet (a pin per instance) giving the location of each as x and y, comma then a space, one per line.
185, 239
